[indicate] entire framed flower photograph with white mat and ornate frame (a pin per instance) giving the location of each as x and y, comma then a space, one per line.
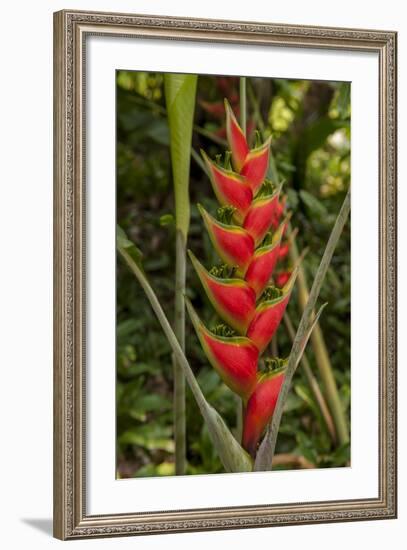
225, 274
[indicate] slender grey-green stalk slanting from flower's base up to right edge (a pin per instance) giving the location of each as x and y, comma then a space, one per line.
308, 321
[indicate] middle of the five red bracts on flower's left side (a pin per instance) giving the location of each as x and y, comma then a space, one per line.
234, 244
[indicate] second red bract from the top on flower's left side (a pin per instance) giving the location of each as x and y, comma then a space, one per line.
230, 188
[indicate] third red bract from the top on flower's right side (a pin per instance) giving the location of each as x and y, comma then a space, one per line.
262, 265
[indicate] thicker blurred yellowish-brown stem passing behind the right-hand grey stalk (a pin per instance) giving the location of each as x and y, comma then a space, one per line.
322, 357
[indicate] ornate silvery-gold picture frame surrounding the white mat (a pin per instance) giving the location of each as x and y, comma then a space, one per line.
70, 520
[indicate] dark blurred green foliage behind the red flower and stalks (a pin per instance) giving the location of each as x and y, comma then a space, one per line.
310, 125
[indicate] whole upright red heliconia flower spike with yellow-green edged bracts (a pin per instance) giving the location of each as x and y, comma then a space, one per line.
250, 248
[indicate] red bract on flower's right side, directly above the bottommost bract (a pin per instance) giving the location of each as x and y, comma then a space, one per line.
268, 316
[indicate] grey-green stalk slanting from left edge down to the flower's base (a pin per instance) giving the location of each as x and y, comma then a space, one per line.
233, 457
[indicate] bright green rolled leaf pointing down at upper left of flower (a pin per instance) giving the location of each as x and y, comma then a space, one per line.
180, 92
